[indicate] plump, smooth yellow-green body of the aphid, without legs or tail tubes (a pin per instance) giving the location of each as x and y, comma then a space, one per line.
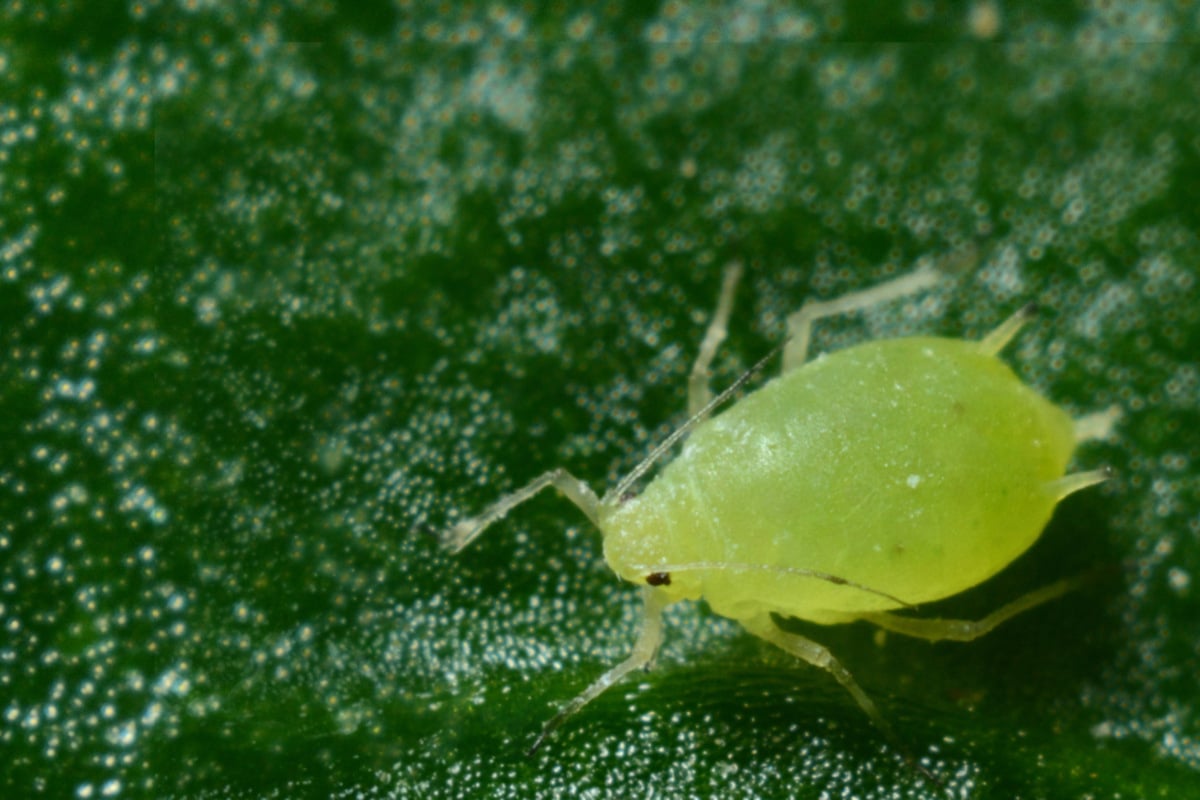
917, 467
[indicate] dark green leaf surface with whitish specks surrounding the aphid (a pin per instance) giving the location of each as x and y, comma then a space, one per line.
285, 284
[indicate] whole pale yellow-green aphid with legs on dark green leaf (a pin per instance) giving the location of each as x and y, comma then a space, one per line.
881, 477
